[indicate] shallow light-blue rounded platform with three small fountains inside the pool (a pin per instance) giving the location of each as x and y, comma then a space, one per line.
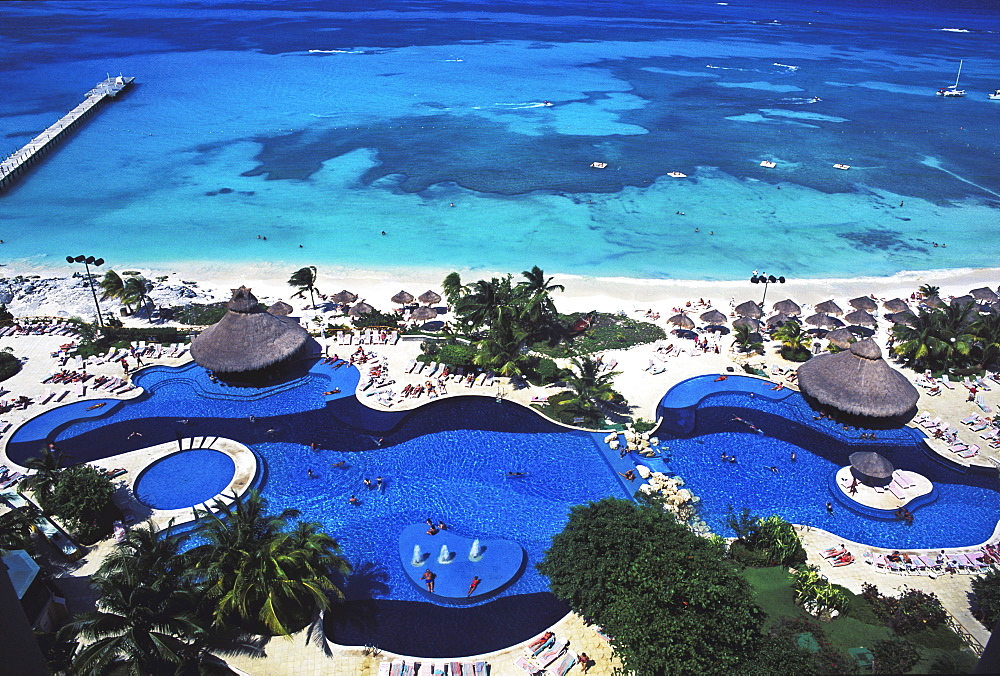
498, 565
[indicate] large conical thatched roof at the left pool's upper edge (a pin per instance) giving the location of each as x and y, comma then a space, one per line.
247, 338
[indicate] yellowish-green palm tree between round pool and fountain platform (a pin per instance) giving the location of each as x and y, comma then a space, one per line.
257, 573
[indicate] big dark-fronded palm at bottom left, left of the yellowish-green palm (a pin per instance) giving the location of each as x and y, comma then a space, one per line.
145, 622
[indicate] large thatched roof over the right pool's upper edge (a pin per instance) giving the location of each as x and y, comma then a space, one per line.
858, 381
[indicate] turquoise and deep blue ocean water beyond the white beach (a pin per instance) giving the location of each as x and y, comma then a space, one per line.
324, 124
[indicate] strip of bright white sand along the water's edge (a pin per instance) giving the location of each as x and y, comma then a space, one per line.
582, 294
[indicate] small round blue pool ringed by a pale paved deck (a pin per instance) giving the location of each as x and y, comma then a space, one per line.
185, 479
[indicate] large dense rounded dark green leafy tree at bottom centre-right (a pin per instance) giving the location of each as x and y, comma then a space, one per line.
669, 600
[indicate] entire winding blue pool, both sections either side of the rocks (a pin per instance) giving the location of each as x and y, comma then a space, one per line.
448, 460
